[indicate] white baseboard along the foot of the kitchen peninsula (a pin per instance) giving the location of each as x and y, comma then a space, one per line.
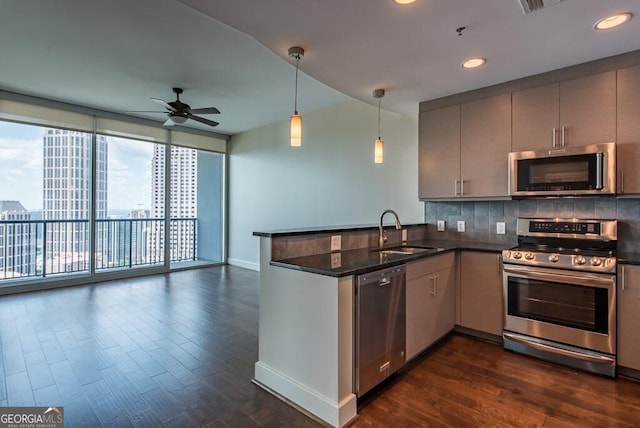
336, 414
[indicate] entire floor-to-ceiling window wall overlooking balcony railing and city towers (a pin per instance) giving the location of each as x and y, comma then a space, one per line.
84, 195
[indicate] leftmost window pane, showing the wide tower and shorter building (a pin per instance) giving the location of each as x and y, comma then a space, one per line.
44, 201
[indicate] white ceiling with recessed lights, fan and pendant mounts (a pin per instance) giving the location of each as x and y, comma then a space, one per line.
232, 54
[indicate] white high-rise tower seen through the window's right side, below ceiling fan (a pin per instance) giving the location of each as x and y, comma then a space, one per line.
183, 200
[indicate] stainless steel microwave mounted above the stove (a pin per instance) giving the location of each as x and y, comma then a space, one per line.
567, 171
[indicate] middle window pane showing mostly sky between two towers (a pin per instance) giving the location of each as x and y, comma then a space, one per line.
129, 226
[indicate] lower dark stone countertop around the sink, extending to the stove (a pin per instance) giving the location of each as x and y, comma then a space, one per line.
363, 260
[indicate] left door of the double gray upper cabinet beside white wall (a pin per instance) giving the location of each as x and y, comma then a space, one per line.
439, 152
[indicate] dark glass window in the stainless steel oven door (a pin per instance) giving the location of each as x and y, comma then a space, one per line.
576, 306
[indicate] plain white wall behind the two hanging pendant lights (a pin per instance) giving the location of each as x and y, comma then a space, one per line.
330, 181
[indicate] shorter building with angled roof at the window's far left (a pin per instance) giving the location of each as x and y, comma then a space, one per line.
18, 246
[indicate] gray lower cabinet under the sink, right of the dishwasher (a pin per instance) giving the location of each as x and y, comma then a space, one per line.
431, 301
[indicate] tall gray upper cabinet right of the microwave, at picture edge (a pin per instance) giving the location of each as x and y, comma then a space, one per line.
629, 130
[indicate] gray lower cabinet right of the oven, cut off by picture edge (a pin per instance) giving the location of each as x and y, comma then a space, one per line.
629, 316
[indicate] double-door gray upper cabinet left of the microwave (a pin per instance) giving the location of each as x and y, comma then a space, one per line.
463, 149
